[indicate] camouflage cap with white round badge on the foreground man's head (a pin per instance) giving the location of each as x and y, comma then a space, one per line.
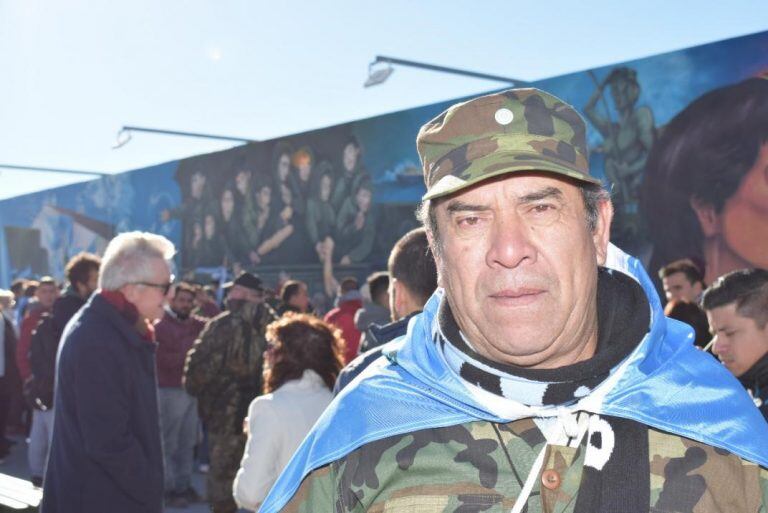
515, 130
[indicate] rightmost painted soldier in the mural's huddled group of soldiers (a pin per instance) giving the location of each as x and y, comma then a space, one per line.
355, 226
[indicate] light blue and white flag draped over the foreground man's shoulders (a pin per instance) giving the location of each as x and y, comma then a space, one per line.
665, 383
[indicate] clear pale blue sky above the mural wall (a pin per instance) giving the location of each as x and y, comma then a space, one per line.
73, 72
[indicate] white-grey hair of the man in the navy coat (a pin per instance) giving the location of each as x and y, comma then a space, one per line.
126, 259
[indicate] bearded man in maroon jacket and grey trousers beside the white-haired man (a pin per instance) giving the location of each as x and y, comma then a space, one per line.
175, 334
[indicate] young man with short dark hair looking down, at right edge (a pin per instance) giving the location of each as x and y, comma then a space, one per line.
737, 309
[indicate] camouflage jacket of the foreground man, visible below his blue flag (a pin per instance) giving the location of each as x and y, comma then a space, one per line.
481, 467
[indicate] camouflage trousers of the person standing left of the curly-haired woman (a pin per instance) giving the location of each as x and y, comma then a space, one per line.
226, 453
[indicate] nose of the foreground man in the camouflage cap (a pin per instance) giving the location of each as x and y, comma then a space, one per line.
511, 243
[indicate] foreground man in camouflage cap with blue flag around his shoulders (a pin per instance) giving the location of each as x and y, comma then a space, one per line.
542, 375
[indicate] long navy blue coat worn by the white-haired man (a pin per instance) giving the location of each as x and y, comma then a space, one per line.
106, 453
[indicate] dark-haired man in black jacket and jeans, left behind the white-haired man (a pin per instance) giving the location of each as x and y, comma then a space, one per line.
83, 275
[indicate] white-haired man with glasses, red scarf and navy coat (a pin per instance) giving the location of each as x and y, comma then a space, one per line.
106, 452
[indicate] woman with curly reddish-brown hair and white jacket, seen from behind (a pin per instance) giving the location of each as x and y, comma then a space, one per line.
300, 369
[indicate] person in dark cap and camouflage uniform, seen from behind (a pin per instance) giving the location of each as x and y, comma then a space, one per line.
223, 370
